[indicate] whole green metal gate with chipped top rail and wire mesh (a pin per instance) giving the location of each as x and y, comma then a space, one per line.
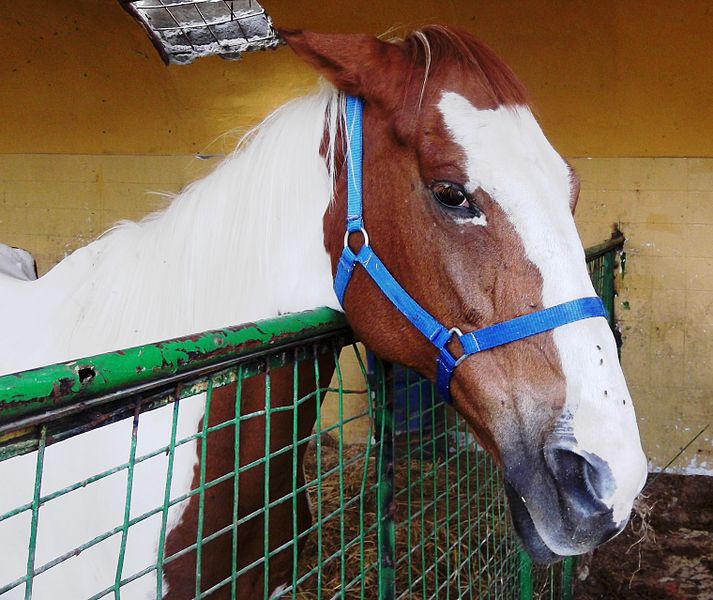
417, 514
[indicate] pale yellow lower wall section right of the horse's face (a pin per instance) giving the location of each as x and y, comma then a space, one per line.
665, 302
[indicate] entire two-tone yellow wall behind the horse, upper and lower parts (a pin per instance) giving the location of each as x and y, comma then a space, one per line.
91, 120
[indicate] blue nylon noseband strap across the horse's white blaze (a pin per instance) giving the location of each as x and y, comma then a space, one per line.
532, 324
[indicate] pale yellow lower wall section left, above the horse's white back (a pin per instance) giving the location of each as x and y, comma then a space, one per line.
51, 204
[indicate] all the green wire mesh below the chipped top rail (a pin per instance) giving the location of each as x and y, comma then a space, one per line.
420, 515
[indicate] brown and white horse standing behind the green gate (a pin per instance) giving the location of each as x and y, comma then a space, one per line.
471, 209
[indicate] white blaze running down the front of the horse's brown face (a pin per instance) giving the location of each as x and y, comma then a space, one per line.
509, 157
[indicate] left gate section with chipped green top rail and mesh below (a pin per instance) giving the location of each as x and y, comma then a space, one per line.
243, 512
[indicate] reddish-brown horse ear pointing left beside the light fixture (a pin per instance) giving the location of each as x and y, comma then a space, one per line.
357, 64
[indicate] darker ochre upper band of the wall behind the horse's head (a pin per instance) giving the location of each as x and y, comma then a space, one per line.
610, 78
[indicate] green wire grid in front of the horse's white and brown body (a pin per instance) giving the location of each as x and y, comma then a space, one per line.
243, 518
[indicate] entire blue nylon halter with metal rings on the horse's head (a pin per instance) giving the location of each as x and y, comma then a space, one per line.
471, 343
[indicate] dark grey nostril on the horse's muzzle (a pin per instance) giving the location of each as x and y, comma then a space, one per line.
582, 476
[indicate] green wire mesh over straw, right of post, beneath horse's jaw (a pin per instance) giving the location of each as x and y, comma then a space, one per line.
453, 536
